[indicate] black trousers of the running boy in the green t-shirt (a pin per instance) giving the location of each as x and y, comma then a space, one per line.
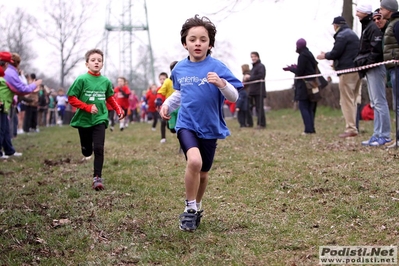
92, 140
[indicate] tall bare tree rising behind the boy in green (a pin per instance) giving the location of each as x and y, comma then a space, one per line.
66, 30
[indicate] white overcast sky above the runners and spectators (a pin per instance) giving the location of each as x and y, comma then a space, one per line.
264, 26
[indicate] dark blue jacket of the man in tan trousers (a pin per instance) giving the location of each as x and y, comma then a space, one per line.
346, 48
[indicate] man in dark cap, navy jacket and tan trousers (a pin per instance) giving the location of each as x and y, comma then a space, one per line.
345, 49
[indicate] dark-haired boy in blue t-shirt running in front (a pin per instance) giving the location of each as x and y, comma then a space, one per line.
202, 83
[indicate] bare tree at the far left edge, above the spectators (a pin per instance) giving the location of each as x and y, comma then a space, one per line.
18, 29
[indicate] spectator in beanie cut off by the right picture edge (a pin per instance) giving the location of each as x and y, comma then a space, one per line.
389, 11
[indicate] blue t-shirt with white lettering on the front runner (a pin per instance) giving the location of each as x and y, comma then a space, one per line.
201, 107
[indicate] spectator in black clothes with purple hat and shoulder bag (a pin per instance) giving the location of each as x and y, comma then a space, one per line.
306, 66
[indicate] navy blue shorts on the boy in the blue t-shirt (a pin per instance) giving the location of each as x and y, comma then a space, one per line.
207, 147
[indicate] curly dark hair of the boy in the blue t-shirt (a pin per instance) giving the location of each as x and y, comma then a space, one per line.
197, 21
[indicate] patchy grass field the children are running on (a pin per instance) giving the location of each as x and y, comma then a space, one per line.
273, 198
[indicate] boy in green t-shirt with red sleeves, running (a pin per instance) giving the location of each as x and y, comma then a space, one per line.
88, 94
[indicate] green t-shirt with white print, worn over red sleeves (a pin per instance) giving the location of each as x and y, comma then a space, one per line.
91, 90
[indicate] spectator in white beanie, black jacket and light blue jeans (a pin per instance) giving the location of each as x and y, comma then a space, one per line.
371, 53
